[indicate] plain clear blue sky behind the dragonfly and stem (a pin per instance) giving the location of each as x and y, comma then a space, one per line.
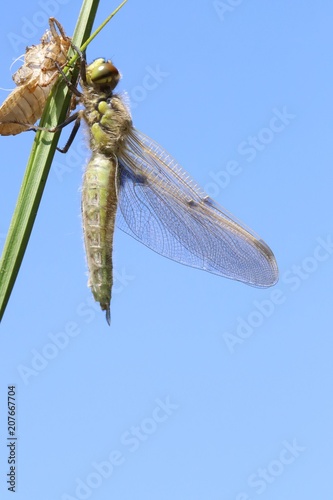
202, 388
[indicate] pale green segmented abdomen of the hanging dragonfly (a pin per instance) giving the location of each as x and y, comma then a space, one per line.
99, 205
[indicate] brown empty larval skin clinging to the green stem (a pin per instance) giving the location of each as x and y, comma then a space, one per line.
34, 80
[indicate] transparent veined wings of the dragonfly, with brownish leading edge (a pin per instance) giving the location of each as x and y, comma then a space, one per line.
160, 205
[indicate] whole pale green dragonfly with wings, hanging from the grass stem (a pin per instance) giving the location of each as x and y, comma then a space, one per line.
132, 182
